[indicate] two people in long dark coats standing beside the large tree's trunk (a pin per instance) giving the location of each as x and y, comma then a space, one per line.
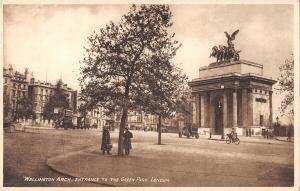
106, 145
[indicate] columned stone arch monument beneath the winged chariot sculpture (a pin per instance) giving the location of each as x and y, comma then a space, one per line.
233, 94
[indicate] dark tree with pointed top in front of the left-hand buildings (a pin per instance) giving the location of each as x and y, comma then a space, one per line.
57, 100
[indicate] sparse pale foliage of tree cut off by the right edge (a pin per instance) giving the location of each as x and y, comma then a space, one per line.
286, 86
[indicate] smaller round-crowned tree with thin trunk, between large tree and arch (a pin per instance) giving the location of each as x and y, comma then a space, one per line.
168, 93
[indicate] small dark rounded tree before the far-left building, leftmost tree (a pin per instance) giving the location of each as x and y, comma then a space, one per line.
24, 109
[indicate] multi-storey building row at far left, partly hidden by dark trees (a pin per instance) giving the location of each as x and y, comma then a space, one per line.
17, 85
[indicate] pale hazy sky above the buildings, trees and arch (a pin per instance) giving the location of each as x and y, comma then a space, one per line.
49, 39
